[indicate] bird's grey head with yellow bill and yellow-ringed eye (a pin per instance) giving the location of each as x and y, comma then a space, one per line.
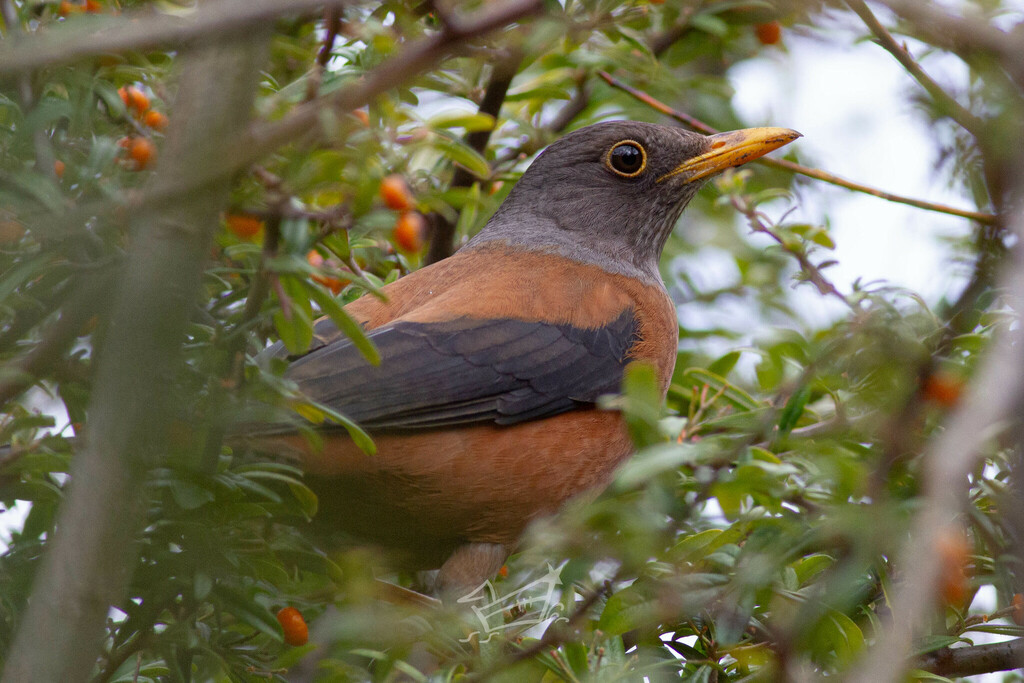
611, 194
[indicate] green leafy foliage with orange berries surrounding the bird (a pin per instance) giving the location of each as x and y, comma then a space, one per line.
753, 530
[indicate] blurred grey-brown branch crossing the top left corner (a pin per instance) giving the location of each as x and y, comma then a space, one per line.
142, 31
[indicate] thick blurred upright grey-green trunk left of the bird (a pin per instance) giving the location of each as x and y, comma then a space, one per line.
91, 560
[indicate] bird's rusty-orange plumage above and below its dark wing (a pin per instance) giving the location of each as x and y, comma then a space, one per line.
433, 491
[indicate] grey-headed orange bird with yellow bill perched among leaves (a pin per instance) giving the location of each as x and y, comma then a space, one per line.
485, 406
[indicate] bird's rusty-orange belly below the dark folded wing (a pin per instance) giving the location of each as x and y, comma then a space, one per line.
433, 491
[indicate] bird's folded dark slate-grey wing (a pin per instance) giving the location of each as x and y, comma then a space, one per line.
467, 371
